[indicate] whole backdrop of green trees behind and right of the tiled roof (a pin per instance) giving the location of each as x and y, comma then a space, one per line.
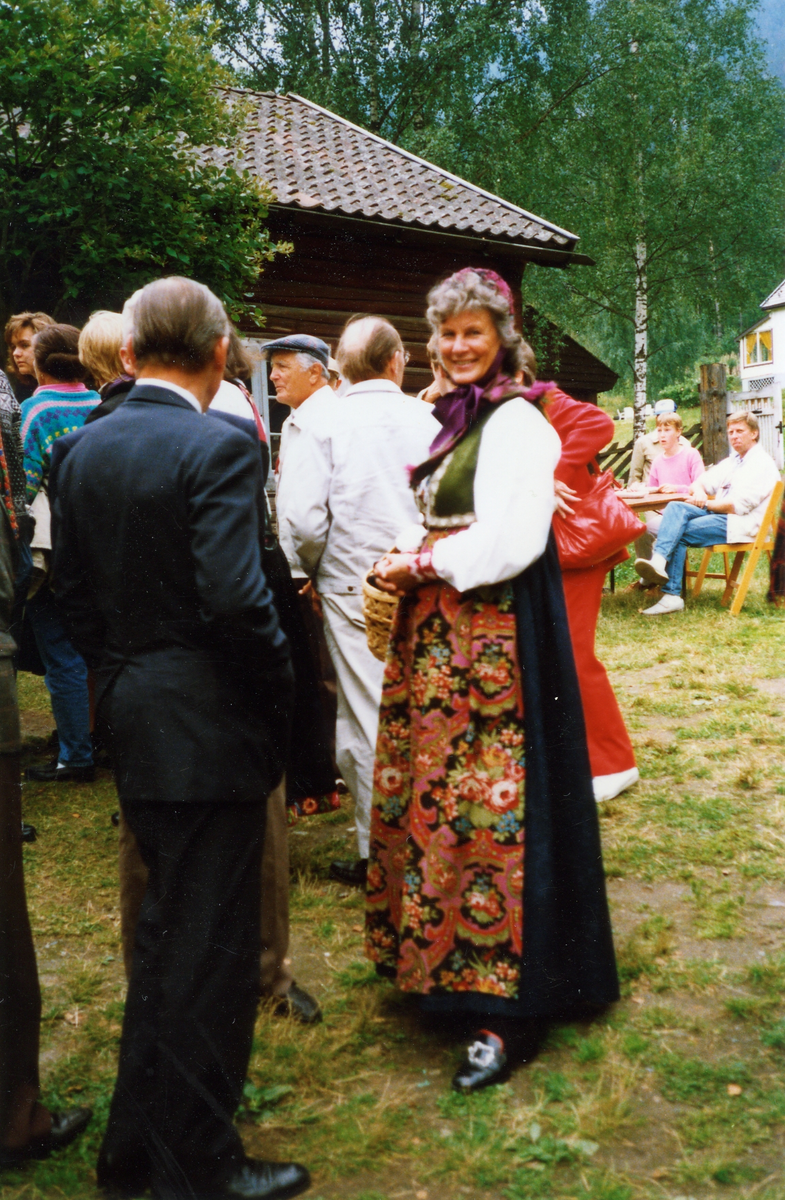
650, 128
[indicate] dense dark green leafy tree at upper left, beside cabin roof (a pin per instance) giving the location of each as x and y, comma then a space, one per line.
104, 105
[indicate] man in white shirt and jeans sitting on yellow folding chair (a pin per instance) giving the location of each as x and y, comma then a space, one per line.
727, 506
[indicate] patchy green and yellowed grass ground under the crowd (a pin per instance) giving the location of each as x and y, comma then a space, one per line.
679, 1091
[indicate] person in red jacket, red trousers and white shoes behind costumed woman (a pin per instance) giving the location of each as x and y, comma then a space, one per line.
584, 430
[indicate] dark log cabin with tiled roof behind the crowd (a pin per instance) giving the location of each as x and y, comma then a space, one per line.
374, 227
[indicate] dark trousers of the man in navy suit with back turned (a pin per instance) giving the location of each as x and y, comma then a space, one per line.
193, 999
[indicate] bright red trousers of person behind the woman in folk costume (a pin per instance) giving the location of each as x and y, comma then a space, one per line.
609, 745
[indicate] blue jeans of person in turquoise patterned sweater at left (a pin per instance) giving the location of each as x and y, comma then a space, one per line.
67, 677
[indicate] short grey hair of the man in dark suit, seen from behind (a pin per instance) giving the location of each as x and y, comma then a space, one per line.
175, 322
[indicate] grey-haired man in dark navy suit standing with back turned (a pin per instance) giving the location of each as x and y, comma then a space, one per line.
158, 567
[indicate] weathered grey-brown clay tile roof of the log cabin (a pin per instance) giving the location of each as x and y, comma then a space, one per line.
316, 160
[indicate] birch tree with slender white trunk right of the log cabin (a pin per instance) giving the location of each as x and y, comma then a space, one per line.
670, 167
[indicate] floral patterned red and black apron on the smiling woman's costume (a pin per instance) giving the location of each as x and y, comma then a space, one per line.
446, 873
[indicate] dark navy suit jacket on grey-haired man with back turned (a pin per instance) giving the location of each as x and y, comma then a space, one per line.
158, 568
